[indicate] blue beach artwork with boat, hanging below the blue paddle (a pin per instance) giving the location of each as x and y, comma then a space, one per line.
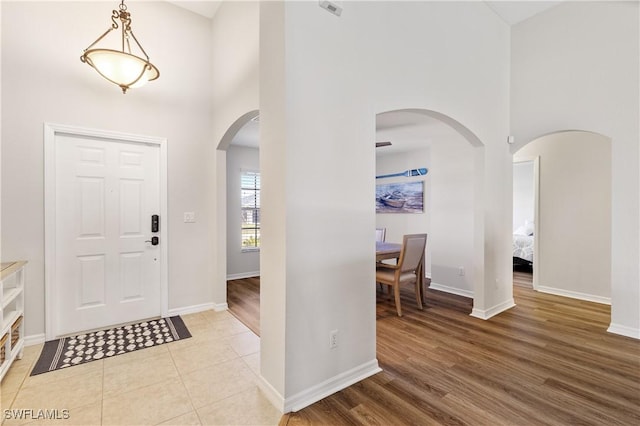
403, 197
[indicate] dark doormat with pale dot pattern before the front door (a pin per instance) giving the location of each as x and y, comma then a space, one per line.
87, 347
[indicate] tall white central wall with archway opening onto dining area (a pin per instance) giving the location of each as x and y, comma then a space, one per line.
319, 113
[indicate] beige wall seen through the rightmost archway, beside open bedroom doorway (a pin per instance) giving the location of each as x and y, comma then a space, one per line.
574, 226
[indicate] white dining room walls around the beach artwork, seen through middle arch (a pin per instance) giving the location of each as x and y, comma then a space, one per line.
448, 207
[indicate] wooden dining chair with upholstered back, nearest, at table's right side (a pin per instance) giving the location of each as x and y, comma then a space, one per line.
407, 270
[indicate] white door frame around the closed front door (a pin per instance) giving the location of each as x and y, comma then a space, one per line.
51, 130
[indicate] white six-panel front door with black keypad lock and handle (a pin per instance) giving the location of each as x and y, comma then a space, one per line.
106, 270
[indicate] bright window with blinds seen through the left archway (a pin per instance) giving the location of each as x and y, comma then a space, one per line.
250, 204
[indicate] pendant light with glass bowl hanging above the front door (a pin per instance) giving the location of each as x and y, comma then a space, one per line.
121, 67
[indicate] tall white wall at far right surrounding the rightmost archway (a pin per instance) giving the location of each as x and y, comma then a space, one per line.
566, 75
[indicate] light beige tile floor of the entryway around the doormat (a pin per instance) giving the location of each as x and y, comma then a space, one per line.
208, 379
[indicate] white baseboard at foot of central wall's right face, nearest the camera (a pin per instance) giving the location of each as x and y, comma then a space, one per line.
337, 383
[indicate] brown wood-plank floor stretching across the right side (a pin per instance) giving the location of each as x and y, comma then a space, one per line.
547, 361
